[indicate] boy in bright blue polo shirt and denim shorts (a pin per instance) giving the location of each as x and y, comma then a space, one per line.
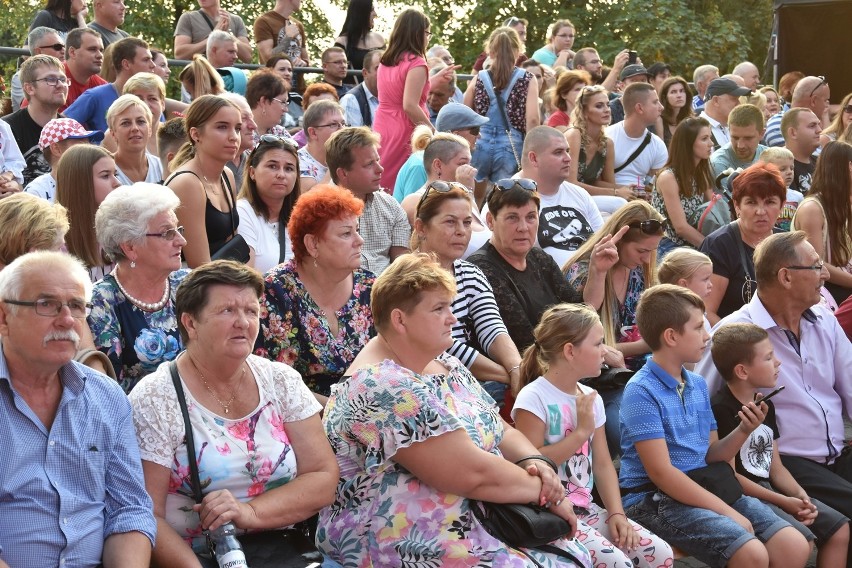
668, 430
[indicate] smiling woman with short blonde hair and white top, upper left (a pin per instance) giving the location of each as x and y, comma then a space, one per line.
129, 120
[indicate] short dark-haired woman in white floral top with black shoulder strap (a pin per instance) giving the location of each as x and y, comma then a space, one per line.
263, 461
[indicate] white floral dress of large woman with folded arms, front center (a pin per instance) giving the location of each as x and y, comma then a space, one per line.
382, 514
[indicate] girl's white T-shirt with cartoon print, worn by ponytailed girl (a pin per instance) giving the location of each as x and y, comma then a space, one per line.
558, 410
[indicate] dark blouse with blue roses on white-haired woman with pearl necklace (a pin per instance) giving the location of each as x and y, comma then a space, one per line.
135, 341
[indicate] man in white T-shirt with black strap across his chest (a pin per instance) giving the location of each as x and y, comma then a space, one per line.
638, 152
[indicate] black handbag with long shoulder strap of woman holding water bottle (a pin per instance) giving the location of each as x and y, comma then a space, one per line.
289, 548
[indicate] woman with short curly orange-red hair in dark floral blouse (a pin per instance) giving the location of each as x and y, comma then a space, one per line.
315, 311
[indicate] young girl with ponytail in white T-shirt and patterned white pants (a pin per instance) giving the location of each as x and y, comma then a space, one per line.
565, 421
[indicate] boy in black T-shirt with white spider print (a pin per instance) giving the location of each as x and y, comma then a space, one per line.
744, 357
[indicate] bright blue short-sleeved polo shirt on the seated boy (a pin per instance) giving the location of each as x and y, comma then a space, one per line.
651, 408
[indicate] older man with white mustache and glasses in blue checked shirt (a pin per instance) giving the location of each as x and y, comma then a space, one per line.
72, 484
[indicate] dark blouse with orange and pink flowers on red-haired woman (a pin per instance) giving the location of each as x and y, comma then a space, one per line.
295, 331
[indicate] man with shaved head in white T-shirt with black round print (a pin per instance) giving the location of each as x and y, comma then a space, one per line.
567, 216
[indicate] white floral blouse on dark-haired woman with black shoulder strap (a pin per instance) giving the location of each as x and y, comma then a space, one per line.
247, 456
